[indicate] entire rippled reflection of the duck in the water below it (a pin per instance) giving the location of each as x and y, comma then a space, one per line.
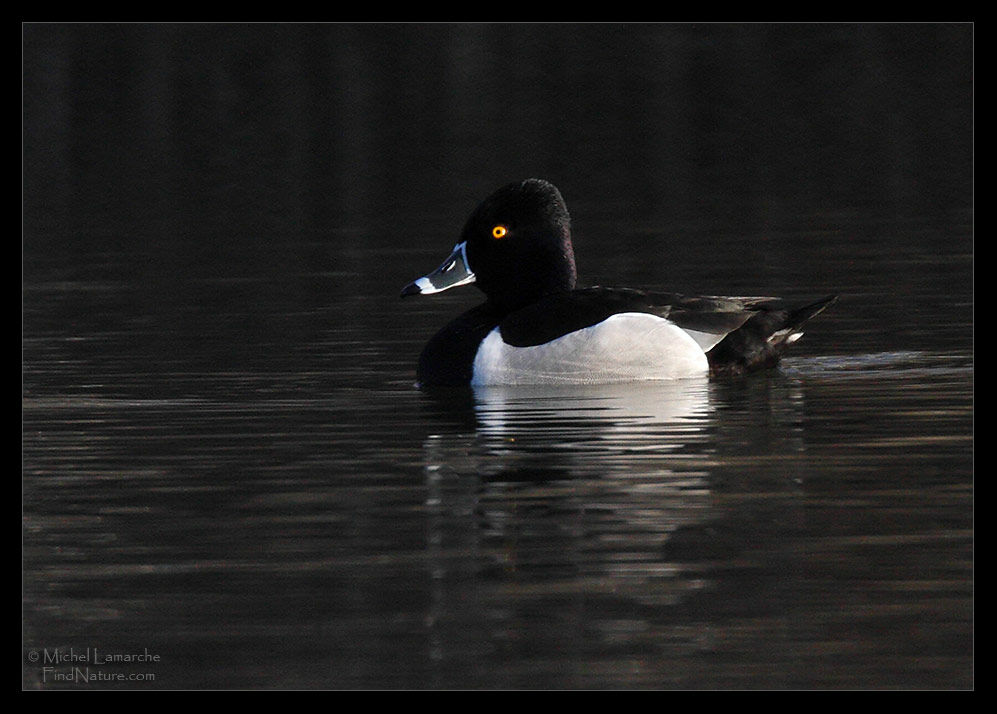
592, 517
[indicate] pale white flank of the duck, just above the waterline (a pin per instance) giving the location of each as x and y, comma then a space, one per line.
628, 347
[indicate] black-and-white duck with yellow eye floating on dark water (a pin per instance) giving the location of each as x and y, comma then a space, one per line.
537, 327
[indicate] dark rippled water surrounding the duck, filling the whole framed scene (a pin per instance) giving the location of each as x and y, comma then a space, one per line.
225, 463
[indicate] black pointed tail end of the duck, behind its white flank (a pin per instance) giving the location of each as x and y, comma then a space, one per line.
762, 339
